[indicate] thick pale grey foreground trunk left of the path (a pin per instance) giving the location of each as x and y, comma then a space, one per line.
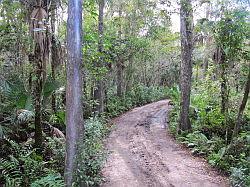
74, 111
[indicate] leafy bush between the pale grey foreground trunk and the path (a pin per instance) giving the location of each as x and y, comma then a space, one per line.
92, 154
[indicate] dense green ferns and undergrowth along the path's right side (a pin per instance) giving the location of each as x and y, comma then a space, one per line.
211, 137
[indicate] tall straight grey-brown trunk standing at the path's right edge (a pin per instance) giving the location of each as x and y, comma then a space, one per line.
186, 30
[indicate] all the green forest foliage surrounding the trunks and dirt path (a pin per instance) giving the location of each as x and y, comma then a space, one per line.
141, 39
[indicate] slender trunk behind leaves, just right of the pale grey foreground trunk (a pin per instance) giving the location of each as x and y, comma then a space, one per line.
99, 92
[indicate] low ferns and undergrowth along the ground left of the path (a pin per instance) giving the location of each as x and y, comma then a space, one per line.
20, 165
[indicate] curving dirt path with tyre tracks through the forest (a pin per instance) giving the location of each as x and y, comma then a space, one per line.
143, 154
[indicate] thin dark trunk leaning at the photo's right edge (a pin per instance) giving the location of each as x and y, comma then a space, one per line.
237, 126
